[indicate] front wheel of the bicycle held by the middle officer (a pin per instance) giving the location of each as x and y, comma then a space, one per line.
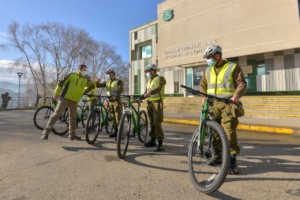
123, 134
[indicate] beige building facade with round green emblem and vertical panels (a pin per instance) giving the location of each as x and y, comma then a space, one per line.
262, 36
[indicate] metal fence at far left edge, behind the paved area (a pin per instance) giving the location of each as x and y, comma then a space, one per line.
23, 102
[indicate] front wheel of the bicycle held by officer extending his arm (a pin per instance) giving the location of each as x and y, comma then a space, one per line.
93, 126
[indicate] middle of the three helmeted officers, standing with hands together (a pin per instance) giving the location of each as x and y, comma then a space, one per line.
155, 94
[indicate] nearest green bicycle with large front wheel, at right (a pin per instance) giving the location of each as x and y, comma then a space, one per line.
208, 154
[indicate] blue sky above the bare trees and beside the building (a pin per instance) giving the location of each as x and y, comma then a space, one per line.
105, 20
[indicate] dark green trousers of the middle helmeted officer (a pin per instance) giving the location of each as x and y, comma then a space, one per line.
155, 113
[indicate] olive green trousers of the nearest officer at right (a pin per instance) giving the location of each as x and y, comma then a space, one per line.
223, 112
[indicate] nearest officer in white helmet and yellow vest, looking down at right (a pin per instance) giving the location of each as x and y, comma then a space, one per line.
224, 79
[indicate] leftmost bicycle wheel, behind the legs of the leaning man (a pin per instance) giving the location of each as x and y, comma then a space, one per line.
42, 116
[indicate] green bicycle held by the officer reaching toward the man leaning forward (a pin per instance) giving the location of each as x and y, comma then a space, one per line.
101, 115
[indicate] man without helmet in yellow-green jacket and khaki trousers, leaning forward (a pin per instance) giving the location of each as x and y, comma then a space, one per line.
69, 91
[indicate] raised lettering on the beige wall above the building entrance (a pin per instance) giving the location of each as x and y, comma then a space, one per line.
195, 48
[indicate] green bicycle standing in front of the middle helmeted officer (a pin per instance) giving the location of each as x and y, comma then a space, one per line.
140, 126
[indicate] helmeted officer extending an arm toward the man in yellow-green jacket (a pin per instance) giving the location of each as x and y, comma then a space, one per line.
113, 86
